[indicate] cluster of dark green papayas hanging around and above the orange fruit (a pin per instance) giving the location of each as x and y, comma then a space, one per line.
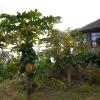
28, 56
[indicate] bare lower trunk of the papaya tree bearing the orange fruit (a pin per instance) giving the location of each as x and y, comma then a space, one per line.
28, 88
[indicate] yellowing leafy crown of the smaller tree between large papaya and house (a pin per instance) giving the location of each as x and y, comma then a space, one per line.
59, 43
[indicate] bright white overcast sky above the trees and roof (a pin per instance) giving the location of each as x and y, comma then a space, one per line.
74, 13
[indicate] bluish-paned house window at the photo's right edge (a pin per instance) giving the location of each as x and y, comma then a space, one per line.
95, 39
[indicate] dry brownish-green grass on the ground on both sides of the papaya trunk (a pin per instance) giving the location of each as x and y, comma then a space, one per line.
12, 90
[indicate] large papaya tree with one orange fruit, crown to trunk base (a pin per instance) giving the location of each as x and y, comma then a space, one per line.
22, 31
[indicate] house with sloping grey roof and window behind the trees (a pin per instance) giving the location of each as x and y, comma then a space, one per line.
93, 33
